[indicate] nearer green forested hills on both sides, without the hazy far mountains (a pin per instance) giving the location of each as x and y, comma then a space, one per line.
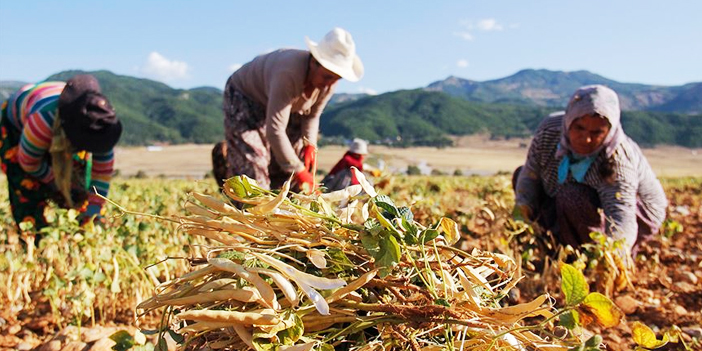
152, 112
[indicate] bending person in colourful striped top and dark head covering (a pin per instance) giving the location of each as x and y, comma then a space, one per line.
56, 142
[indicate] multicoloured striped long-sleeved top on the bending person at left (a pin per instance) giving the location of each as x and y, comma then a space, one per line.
32, 110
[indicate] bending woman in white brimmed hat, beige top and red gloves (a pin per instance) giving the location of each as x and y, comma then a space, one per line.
274, 102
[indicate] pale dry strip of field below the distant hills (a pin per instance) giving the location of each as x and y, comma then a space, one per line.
472, 155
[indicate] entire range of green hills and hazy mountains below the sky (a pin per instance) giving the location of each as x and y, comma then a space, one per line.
153, 112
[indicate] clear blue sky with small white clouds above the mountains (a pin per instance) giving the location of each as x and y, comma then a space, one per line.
403, 44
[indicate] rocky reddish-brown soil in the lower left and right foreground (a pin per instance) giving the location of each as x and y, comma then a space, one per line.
666, 290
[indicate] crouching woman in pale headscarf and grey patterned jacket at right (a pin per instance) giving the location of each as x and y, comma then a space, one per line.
583, 174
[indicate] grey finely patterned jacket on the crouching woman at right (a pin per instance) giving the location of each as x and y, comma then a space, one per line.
633, 179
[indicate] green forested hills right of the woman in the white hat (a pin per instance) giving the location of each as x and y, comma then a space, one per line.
418, 117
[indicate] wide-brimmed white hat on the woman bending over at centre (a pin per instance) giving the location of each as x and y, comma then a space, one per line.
337, 53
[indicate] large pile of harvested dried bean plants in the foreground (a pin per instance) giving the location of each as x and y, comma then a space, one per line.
347, 270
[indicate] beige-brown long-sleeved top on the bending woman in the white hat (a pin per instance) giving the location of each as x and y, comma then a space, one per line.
276, 81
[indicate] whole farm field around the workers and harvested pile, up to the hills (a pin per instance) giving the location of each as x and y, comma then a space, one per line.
82, 284
